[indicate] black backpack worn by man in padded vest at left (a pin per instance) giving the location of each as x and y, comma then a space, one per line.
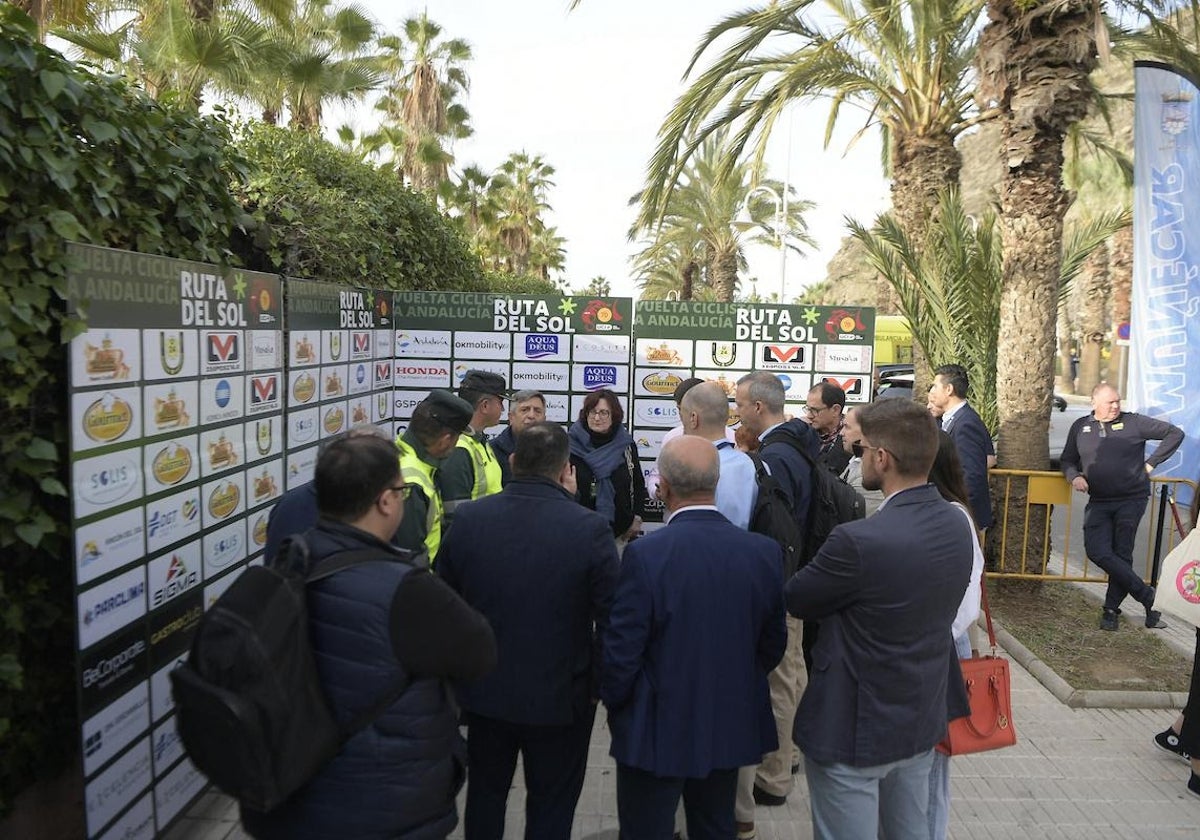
250, 709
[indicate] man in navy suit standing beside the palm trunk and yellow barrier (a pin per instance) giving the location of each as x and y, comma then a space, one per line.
949, 394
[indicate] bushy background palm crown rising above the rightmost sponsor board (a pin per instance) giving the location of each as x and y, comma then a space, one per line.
704, 218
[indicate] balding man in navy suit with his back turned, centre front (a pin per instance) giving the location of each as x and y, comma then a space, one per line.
697, 626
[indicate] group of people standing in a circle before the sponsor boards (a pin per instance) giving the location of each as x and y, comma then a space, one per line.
512, 597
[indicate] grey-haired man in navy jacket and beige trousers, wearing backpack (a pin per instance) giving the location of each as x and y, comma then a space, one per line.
785, 445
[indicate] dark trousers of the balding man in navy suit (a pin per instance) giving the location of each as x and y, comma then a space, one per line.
646, 805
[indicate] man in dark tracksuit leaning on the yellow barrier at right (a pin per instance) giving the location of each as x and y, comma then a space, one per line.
1106, 458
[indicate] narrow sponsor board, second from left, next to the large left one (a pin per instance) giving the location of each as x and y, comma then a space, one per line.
340, 367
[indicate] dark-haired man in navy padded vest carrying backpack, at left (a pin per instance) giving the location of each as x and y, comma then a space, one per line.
387, 637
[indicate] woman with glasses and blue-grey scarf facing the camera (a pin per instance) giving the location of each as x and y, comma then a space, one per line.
608, 471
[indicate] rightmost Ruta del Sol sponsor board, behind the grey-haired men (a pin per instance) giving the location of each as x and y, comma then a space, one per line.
722, 343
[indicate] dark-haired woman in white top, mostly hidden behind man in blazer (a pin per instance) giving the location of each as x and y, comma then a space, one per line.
947, 476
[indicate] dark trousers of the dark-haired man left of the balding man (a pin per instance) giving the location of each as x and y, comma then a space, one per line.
555, 759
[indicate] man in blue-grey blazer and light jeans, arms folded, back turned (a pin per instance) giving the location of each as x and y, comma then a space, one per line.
886, 677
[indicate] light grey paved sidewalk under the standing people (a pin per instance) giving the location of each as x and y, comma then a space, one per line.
1087, 775
